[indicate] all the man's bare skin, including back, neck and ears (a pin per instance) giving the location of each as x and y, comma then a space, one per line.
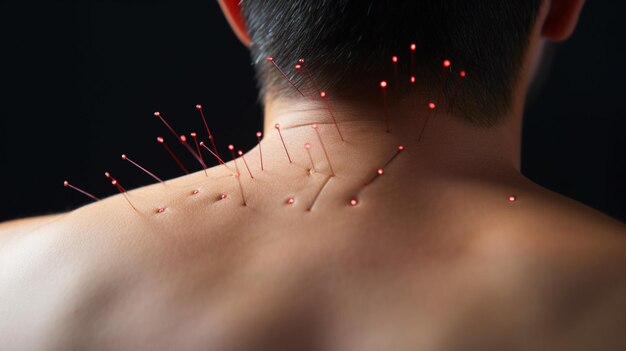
433, 257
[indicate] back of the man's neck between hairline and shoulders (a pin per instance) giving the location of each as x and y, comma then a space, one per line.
448, 144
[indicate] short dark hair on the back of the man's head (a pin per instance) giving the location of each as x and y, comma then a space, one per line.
348, 45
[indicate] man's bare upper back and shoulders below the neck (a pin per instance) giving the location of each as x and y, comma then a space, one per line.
461, 267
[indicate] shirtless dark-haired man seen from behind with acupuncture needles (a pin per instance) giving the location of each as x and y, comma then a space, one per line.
351, 243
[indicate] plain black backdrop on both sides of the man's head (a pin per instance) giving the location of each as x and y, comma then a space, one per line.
82, 79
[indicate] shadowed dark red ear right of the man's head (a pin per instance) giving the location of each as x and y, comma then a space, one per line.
561, 19
